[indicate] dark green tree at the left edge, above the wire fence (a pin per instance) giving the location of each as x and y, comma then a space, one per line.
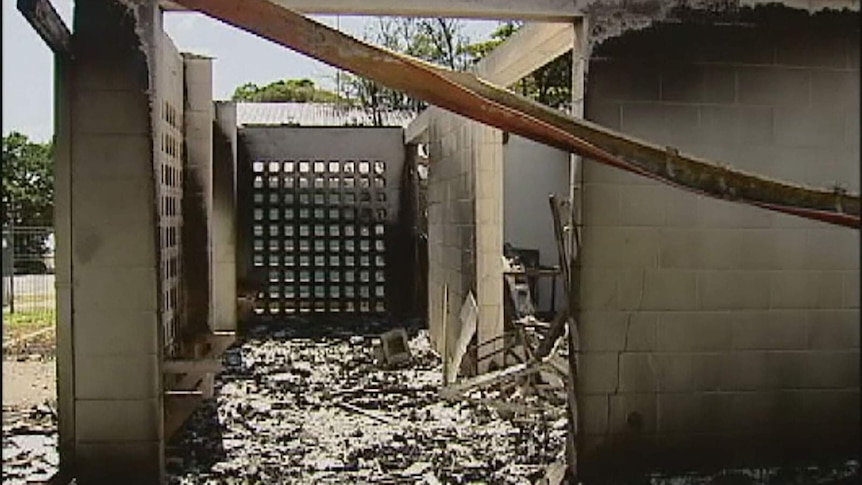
28, 181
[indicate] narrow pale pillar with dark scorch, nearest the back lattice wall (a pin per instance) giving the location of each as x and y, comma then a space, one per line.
224, 218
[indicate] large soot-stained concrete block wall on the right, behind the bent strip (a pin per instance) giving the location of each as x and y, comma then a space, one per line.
711, 332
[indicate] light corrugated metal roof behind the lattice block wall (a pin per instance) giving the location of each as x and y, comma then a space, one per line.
315, 114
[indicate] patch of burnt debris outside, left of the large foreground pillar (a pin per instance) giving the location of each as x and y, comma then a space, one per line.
29, 444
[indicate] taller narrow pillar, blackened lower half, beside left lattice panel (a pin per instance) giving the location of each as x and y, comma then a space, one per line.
197, 194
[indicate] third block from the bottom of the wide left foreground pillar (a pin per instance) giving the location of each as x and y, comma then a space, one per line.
134, 376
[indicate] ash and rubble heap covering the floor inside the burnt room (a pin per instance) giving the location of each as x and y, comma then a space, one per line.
293, 408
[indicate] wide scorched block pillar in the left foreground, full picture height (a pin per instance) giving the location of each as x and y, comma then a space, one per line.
107, 206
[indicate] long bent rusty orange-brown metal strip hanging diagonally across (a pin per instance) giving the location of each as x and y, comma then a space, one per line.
474, 98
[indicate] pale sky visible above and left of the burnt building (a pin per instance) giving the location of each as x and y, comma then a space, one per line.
239, 57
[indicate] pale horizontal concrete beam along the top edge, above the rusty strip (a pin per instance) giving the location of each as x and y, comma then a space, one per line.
547, 10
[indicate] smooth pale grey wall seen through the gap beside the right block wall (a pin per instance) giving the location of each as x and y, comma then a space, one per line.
532, 172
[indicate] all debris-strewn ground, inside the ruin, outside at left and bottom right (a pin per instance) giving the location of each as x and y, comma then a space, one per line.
308, 403
